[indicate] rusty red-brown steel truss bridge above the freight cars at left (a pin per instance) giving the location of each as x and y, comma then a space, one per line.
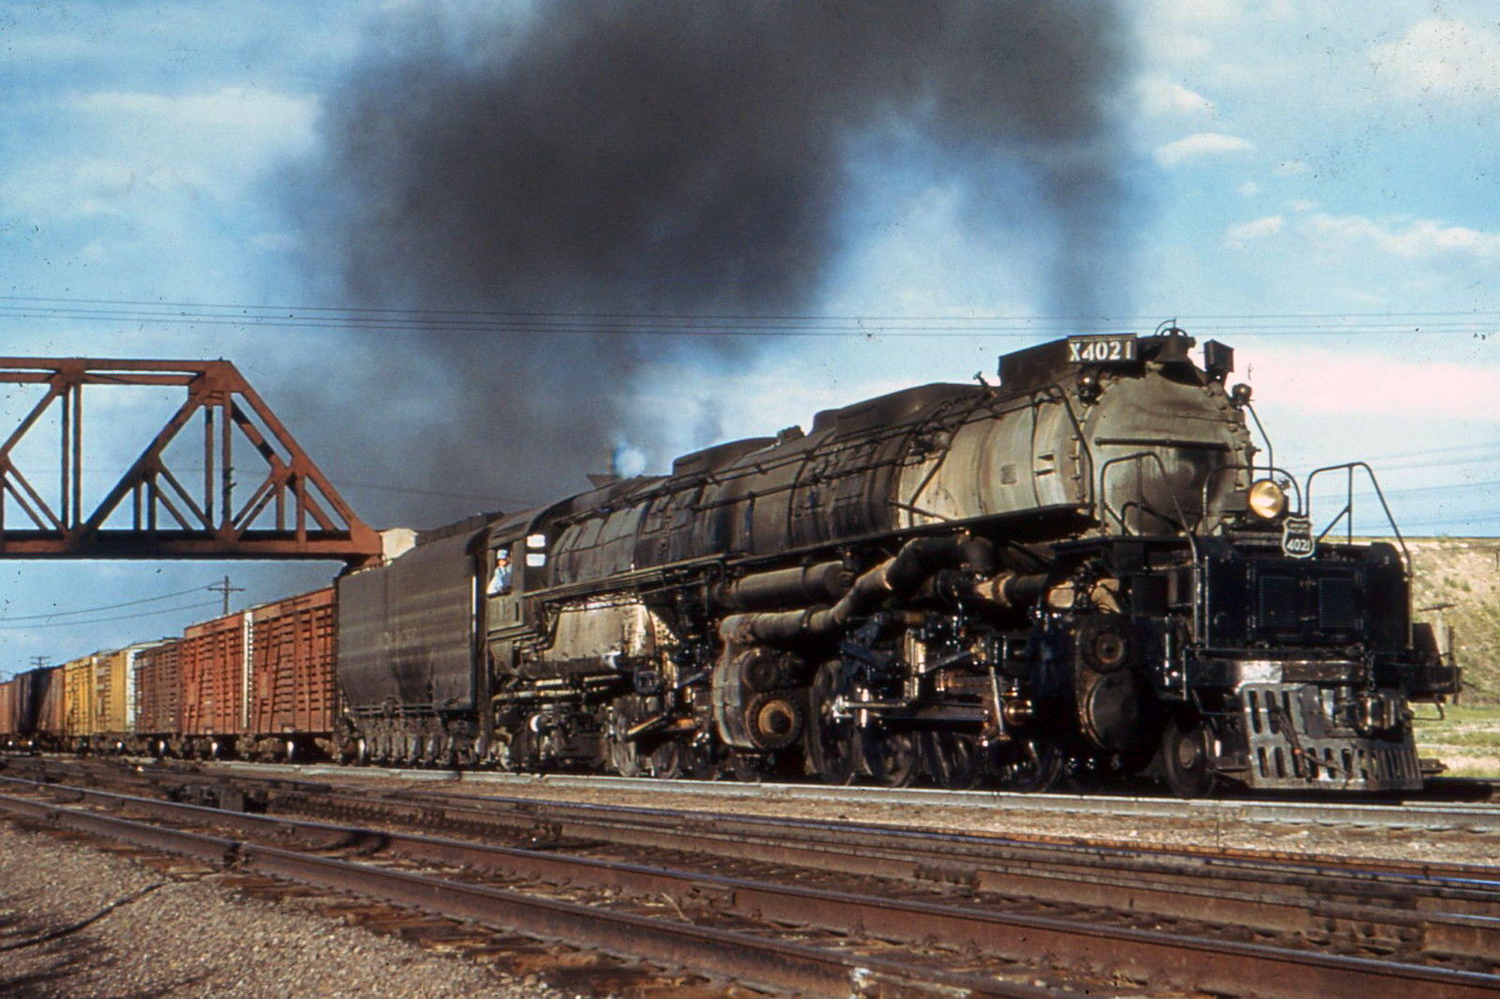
290, 512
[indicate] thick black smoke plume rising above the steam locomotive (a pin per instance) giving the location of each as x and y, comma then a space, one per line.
668, 158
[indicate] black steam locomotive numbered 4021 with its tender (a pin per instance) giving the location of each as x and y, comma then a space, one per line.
1079, 571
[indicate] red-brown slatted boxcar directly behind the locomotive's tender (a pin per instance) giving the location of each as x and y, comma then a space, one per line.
292, 673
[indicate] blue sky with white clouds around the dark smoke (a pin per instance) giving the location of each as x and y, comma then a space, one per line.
1315, 184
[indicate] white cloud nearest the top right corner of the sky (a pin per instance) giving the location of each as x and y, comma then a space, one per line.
1442, 59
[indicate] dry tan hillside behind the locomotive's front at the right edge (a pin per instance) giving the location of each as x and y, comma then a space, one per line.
1465, 572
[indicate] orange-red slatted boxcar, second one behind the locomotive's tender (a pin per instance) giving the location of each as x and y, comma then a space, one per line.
215, 682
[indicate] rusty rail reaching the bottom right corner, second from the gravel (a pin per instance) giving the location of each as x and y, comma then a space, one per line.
1210, 965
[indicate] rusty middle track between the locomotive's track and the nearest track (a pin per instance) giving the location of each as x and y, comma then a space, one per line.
1414, 908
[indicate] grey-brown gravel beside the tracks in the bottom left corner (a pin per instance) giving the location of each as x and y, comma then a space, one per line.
191, 940
